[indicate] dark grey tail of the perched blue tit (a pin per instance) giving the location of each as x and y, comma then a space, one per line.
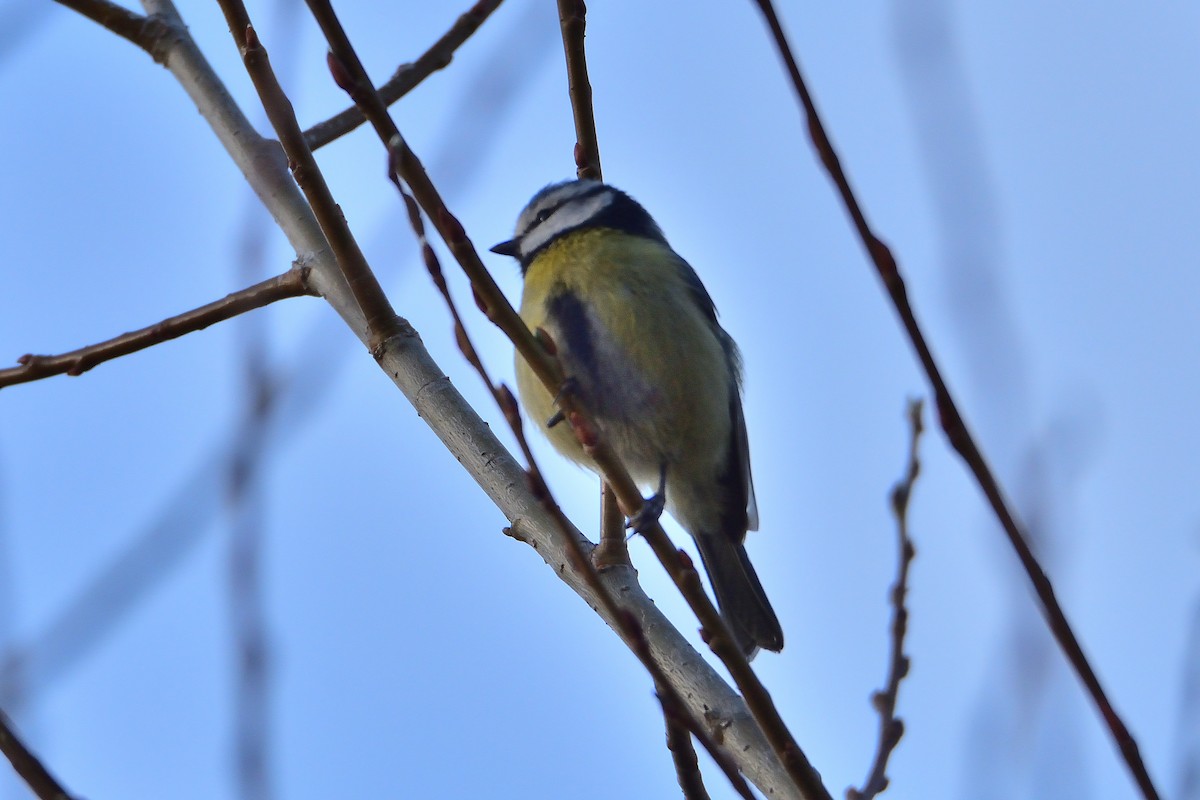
740, 594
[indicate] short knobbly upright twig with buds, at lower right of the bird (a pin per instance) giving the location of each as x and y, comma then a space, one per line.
891, 726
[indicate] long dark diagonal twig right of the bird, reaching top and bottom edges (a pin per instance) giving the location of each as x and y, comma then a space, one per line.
955, 426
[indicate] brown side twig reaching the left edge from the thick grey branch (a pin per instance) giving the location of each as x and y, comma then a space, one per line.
292, 284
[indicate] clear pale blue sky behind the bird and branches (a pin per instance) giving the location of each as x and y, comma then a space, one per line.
1034, 167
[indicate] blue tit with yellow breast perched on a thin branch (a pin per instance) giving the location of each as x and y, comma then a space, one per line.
637, 333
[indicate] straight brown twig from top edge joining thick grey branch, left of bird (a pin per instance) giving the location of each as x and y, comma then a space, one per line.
363, 284
